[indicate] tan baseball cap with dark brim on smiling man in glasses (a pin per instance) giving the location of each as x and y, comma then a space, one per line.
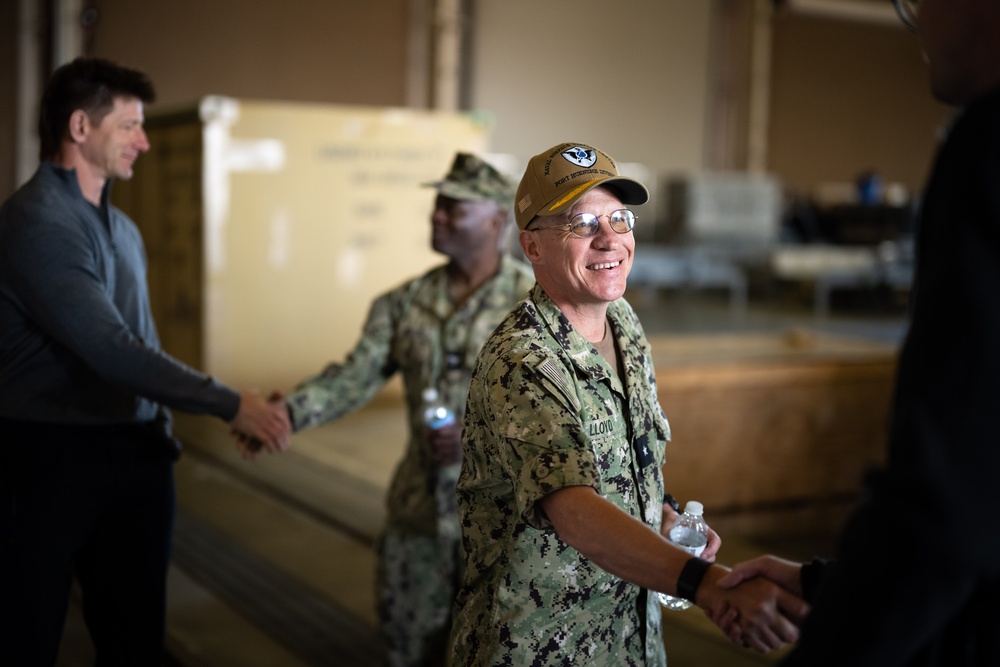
559, 176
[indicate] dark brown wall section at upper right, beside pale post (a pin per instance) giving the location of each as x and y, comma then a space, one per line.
847, 97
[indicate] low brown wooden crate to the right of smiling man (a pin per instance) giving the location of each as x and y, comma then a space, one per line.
773, 433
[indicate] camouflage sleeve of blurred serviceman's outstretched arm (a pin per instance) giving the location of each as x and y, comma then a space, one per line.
343, 387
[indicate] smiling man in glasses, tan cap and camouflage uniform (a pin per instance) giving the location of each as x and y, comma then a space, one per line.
561, 490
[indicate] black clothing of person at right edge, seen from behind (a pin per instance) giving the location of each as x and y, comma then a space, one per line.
915, 582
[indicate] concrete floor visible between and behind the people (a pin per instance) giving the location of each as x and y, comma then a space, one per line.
301, 526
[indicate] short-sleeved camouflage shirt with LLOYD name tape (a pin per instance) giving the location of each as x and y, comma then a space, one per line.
546, 411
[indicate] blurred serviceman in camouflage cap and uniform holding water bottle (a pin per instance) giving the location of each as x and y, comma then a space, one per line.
430, 329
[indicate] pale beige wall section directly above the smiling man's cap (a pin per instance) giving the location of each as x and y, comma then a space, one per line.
630, 78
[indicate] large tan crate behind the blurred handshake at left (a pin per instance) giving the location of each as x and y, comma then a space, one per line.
270, 227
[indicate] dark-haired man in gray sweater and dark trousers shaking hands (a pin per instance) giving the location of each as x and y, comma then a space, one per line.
86, 449
